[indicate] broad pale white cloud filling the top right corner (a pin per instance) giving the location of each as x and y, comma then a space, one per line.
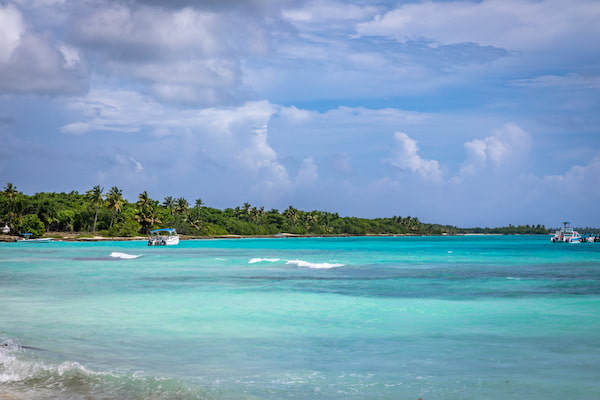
509, 24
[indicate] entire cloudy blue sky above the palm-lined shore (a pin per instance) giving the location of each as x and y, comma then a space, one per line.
467, 113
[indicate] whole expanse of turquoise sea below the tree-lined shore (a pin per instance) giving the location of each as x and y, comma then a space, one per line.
473, 317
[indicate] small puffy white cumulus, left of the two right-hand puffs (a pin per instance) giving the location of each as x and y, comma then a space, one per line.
406, 157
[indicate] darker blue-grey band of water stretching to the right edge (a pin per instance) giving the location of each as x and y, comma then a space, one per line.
457, 287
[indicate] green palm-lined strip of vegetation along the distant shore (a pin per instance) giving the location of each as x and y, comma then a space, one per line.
109, 214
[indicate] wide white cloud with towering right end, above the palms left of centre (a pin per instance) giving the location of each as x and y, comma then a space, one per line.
232, 138
